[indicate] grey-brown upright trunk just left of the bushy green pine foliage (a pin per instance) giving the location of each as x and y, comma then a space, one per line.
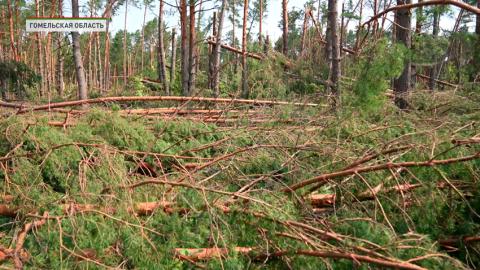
335, 52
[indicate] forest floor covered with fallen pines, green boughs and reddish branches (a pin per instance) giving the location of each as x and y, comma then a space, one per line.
149, 185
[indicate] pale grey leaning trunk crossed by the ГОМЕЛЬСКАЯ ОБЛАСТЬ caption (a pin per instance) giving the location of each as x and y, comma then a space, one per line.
77, 57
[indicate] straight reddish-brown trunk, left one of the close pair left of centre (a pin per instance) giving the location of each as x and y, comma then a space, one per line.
184, 47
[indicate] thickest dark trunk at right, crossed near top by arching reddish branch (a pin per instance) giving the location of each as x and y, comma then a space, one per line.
402, 84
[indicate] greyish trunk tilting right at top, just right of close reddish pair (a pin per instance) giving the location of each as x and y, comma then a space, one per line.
215, 63
